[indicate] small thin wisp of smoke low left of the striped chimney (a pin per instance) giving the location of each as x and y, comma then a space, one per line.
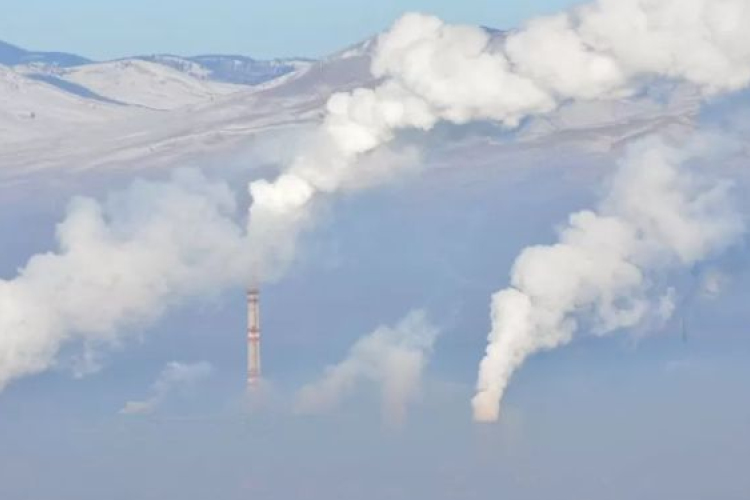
175, 376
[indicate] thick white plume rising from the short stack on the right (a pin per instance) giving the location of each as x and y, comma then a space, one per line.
602, 274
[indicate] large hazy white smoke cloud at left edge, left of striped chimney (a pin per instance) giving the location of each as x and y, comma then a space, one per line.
120, 264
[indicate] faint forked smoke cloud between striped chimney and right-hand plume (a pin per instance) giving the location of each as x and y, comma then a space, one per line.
394, 358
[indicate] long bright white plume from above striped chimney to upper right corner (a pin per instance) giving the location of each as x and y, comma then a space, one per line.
432, 71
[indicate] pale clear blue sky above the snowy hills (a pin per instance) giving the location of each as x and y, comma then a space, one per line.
109, 29
